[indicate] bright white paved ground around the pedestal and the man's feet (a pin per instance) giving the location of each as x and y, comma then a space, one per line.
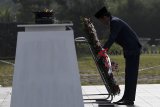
148, 95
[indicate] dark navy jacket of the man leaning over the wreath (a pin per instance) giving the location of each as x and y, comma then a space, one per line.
123, 34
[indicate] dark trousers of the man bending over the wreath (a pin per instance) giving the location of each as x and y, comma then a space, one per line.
131, 74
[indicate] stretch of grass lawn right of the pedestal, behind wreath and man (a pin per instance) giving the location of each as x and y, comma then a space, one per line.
89, 74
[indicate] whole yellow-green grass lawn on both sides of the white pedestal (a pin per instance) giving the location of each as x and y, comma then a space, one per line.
90, 76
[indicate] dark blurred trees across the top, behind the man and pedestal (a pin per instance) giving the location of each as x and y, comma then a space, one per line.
142, 15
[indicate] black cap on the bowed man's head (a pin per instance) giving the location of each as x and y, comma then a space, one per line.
102, 12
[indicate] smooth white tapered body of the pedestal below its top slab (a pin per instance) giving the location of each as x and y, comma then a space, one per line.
46, 72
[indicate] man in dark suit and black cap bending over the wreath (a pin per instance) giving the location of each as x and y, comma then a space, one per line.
123, 34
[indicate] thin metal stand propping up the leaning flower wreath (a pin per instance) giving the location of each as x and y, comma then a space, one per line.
109, 96
